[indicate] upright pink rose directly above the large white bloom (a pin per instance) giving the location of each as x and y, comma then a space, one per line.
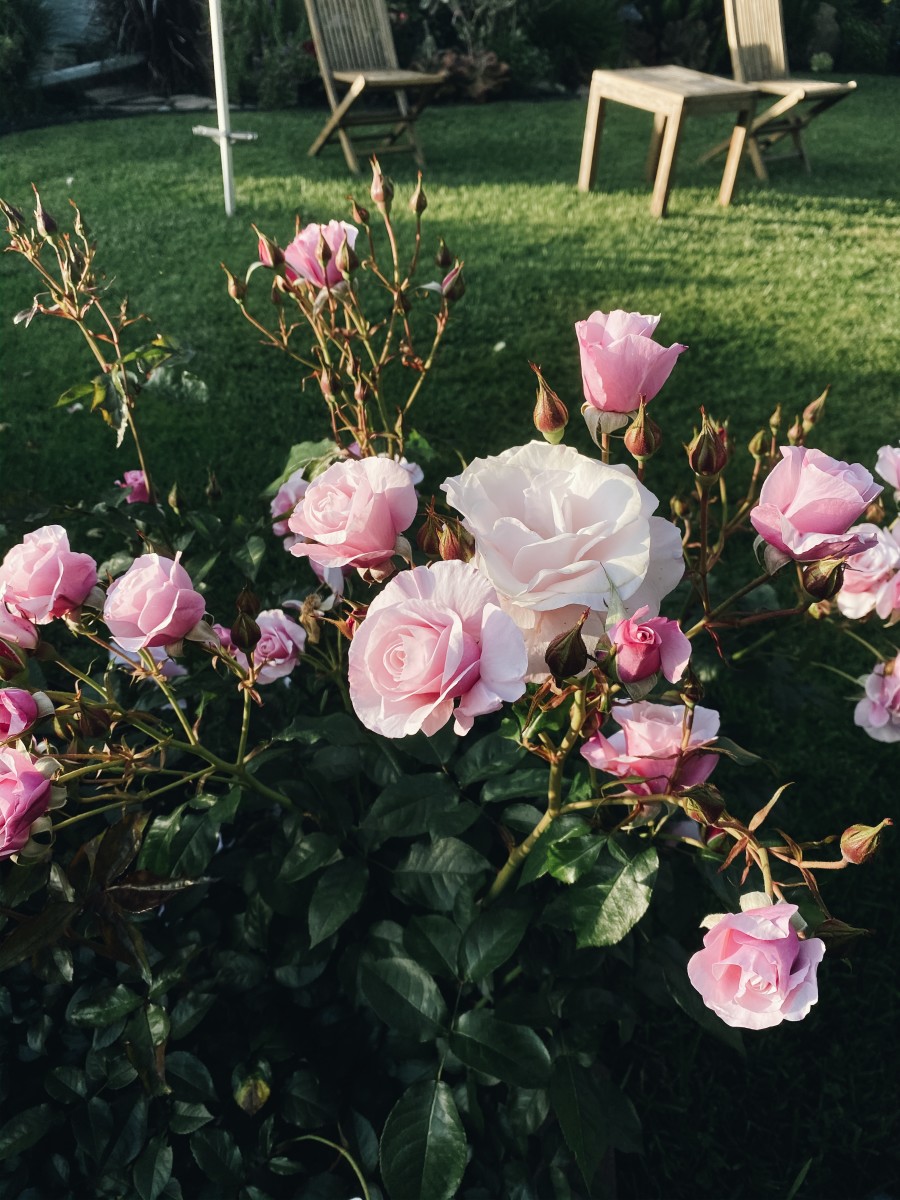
621, 365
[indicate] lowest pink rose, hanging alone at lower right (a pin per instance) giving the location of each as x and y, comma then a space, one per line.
754, 971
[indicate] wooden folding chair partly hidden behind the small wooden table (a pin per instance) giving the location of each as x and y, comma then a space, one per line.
759, 57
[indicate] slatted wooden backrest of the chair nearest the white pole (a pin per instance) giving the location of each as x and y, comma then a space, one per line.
352, 35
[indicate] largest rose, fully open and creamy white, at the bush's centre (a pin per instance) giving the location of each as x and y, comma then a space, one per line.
557, 532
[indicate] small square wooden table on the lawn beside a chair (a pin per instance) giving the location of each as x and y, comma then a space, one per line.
671, 94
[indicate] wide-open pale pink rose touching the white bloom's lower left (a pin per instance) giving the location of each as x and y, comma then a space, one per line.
435, 645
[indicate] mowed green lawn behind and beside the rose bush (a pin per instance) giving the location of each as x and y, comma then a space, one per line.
789, 291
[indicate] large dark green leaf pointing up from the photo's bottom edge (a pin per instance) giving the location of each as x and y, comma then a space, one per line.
423, 1149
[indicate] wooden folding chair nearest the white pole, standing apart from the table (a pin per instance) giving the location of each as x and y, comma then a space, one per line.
356, 50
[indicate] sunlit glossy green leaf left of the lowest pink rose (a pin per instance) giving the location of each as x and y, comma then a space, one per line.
605, 905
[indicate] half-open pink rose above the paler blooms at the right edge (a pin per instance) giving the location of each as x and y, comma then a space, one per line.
808, 505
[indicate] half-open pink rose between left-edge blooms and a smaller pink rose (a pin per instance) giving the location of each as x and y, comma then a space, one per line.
153, 604
